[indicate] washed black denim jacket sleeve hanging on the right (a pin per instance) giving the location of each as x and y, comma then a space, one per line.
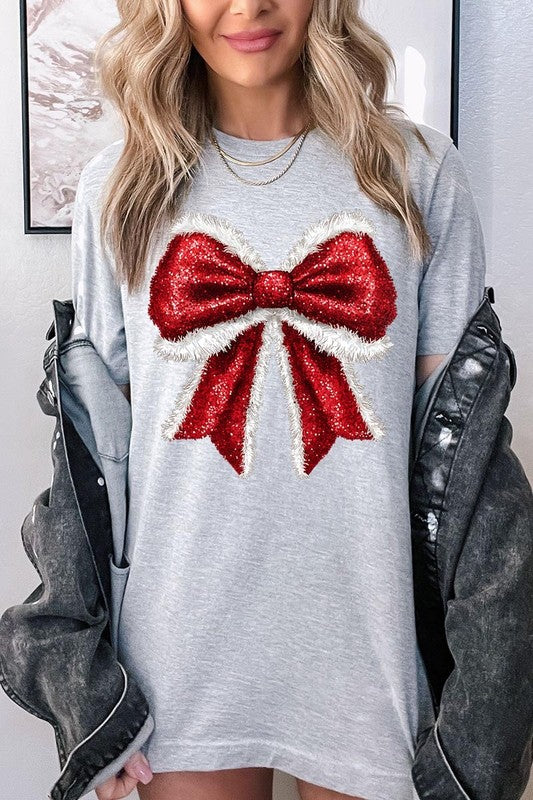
489, 631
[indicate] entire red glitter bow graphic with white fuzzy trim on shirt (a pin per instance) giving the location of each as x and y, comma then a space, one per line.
329, 304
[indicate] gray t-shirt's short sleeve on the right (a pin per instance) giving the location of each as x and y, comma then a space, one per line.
453, 277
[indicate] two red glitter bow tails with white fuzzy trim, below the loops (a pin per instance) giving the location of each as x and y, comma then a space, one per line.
221, 399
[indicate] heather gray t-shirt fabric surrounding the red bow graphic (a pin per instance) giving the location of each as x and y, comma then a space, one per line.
269, 619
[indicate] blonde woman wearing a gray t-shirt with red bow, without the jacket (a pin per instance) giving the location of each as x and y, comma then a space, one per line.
286, 257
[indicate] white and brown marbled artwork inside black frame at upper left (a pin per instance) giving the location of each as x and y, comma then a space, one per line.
68, 122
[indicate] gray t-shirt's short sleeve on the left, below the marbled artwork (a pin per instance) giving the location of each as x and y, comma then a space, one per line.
96, 294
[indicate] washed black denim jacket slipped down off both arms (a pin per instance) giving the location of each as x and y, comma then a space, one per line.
472, 534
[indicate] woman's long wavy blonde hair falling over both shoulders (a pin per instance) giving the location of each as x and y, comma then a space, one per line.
148, 68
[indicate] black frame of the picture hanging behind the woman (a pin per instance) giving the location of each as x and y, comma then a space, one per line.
32, 229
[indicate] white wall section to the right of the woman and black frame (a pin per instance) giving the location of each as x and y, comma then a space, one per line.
495, 136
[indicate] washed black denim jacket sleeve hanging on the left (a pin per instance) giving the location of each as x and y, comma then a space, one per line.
56, 656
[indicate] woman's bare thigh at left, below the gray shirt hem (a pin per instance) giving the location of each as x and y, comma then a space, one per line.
244, 783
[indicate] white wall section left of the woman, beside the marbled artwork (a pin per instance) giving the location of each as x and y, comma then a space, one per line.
33, 270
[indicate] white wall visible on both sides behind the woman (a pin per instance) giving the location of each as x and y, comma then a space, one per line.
496, 126
